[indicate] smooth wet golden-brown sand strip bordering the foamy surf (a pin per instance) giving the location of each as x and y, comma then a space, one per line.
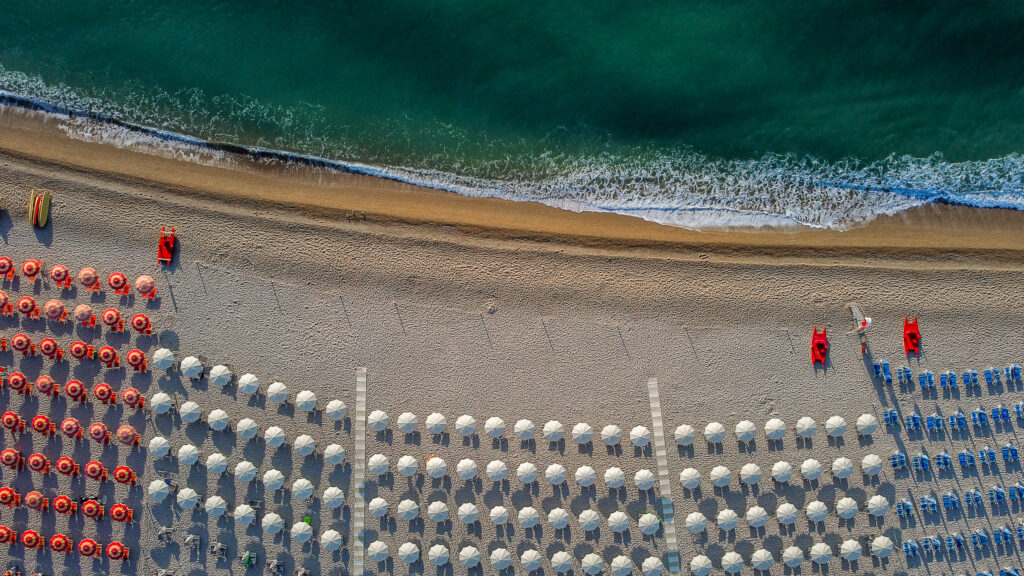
935, 230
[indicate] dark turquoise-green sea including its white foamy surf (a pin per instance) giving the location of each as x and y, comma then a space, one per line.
688, 113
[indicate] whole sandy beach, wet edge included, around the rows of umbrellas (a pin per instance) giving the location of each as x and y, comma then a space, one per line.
455, 316
